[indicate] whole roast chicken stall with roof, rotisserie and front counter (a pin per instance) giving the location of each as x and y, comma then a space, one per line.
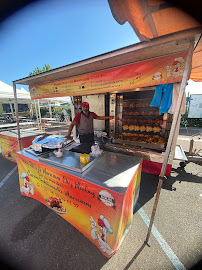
128, 79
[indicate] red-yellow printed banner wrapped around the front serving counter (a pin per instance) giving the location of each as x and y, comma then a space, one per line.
101, 214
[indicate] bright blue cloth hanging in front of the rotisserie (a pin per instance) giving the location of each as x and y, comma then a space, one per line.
163, 97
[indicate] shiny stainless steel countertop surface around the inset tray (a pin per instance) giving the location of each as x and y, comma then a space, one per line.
111, 170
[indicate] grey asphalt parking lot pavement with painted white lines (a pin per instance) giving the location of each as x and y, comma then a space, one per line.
34, 237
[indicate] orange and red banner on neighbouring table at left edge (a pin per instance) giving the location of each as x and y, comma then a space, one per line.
9, 145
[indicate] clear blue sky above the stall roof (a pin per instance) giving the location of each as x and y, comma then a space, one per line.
60, 32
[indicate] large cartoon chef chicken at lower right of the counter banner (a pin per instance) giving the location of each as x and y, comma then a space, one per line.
101, 236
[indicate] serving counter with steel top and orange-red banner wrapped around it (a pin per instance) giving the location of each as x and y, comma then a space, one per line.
96, 198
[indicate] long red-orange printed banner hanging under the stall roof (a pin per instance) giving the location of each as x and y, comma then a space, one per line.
162, 70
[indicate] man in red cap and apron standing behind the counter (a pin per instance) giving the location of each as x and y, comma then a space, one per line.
84, 120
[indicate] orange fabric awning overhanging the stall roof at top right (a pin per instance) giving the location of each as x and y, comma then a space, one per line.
153, 18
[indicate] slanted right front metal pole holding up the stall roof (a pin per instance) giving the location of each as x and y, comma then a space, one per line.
172, 134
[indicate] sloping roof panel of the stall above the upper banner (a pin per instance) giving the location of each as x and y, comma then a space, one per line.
157, 47
